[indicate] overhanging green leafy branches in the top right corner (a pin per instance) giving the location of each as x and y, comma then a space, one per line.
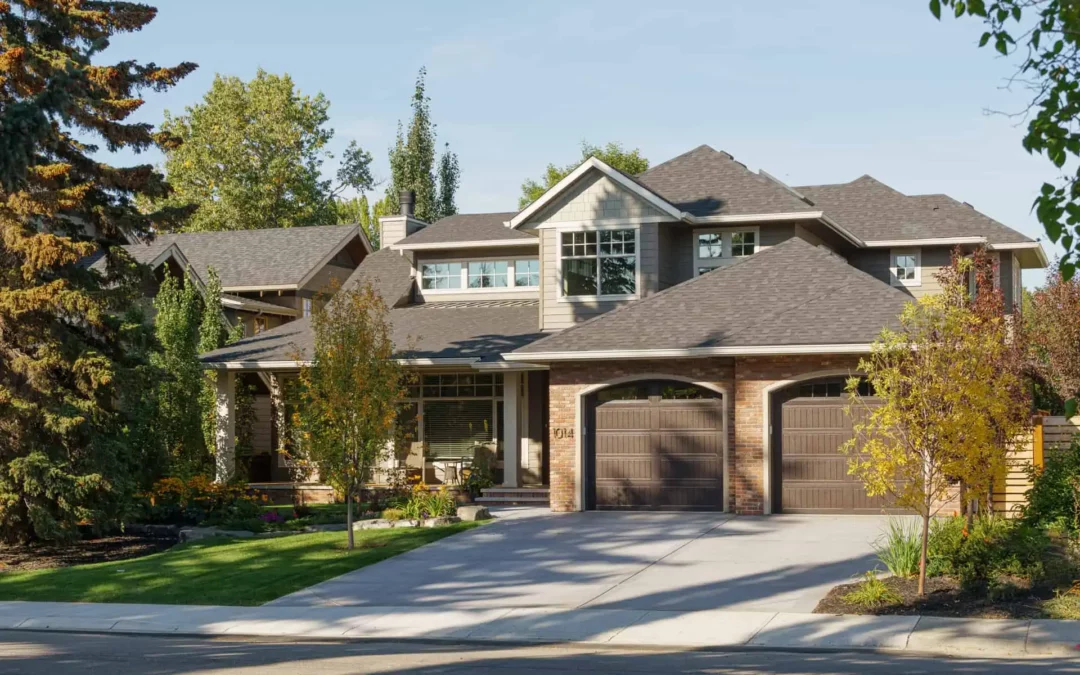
1045, 37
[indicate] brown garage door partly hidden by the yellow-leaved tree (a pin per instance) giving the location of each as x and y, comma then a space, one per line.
814, 471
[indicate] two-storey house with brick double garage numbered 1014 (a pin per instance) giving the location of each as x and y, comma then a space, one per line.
678, 340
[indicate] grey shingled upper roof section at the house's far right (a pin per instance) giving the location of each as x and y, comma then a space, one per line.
877, 213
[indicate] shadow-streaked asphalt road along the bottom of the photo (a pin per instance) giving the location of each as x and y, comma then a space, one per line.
56, 654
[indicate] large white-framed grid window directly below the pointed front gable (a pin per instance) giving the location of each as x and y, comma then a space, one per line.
601, 263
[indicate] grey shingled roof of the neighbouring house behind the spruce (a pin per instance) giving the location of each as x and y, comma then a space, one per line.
273, 259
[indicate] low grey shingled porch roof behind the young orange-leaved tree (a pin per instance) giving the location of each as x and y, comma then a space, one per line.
477, 332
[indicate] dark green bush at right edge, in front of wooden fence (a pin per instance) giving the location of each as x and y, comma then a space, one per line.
1054, 503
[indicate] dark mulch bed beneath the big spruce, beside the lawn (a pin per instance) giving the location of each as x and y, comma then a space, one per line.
83, 552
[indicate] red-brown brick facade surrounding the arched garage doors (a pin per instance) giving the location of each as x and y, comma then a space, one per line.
744, 381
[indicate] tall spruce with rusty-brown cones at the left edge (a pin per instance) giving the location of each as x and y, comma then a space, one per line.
69, 347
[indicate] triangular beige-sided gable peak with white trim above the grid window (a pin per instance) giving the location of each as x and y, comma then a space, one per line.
596, 197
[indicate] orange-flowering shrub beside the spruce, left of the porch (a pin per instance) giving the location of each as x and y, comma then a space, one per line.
197, 501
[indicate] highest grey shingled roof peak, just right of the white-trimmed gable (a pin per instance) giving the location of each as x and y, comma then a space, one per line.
710, 183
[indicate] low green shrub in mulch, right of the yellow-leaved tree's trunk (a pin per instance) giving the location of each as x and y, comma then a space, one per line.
994, 547
